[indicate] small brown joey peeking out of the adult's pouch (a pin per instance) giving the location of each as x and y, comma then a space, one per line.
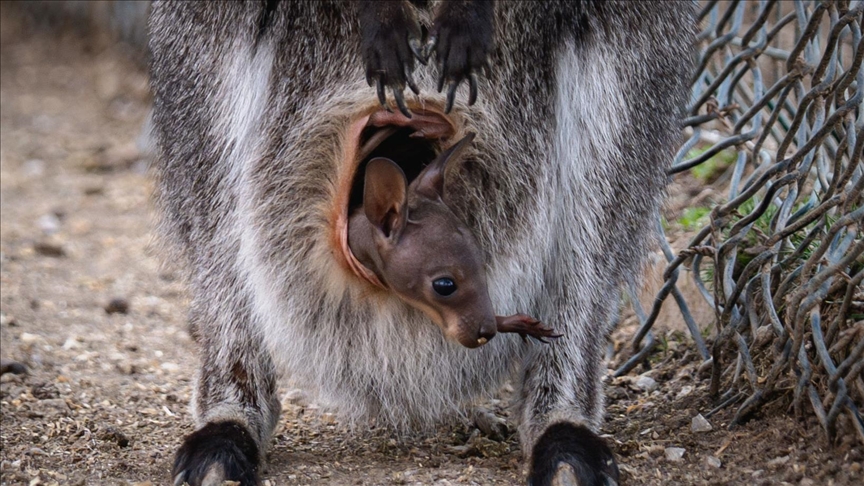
413, 245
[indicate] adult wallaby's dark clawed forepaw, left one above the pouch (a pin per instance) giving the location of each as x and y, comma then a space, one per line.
391, 38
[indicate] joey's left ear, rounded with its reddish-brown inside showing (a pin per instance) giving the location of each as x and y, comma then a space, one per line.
385, 196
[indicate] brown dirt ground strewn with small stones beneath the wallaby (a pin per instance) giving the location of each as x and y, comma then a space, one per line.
100, 326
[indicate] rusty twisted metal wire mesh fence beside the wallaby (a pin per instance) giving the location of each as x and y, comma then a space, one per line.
779, 85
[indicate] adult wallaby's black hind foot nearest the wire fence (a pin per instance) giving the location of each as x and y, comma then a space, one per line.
571, 454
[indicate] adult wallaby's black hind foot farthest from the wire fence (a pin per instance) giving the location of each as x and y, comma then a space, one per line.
218, 452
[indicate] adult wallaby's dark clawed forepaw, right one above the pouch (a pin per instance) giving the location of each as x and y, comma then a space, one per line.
462, 40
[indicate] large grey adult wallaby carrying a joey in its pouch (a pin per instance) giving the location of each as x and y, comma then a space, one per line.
260, 112
